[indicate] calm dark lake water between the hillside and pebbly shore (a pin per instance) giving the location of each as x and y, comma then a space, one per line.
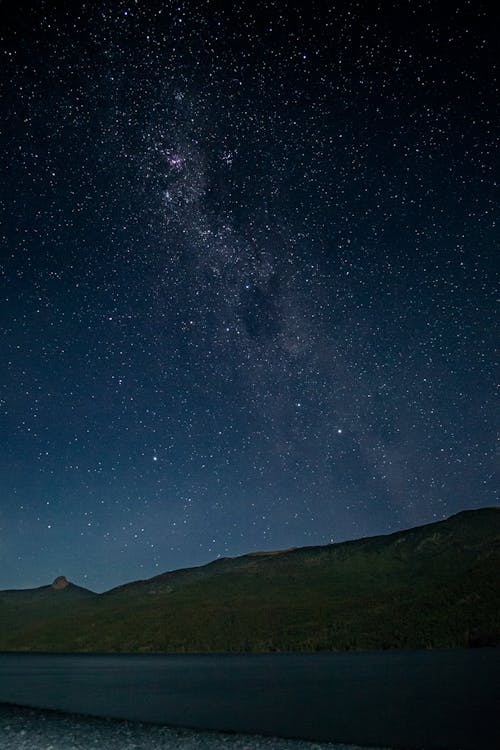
418, 699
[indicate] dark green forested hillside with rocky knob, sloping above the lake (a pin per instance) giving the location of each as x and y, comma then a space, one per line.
432, 586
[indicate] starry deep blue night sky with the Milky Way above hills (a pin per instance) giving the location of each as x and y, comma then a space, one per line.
247, 275
